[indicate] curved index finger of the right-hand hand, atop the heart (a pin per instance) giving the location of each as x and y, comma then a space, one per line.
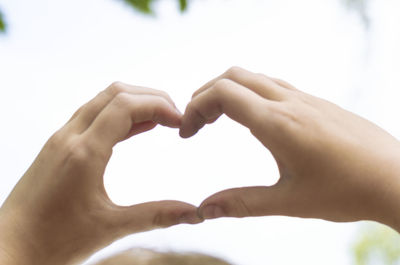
225, 96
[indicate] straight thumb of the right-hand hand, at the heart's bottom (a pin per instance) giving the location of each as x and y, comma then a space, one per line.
246, 201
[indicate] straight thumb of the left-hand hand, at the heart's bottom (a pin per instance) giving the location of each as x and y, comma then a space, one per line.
152, 215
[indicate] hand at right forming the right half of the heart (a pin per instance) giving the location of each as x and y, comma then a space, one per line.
333, 164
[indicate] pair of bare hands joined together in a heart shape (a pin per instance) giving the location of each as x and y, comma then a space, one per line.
334, 165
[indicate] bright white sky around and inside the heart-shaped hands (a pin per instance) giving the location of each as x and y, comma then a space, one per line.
59, 54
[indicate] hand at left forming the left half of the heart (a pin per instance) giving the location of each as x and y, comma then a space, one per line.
59, 212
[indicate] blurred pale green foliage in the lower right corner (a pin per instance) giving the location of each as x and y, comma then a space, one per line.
377, 244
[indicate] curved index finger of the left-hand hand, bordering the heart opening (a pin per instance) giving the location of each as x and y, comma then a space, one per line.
116, 120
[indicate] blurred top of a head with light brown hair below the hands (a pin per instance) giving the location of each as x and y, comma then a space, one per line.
150, 257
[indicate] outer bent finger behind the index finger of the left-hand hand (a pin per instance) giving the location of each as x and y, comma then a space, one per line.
85, 115
